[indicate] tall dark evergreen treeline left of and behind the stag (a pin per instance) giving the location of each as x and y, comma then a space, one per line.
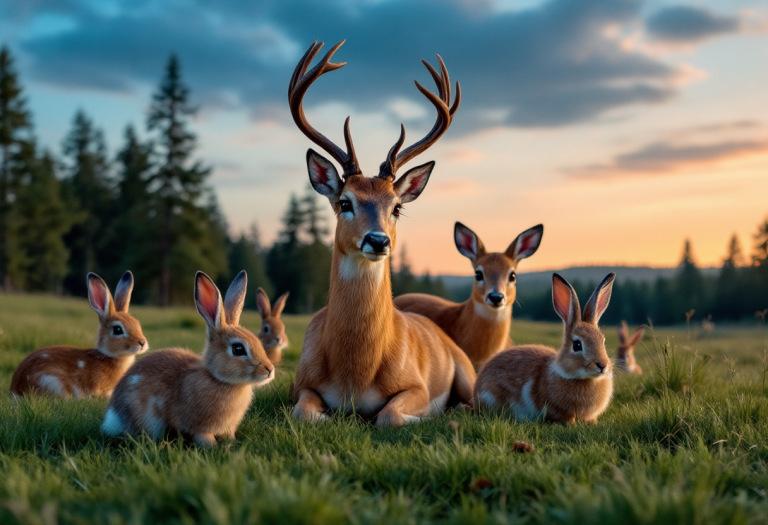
148, 209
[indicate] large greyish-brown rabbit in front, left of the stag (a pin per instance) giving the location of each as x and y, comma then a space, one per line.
202, 397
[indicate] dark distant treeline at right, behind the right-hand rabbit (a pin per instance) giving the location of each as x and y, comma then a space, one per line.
738, 291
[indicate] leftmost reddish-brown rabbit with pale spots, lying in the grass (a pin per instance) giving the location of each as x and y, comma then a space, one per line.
68, 371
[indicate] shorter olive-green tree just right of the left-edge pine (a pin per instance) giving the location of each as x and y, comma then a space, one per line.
42, 220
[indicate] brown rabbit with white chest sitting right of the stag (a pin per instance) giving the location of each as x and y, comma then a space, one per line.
566, 385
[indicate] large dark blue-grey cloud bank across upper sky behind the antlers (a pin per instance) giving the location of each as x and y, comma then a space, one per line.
543, 66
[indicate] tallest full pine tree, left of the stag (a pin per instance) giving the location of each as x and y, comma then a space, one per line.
187, 233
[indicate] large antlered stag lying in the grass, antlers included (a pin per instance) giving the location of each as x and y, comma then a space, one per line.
360, 354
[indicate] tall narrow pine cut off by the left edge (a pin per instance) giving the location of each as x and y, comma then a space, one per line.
15, 131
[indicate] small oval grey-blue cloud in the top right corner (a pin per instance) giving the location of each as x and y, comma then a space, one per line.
683, 24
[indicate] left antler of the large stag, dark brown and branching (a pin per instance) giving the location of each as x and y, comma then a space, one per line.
300, 82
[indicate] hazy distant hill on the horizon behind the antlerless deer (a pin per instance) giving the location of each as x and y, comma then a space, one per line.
537, 282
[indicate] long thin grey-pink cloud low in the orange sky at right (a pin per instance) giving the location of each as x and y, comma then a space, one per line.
662, 158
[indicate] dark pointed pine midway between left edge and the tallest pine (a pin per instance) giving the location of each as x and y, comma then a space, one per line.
87, 186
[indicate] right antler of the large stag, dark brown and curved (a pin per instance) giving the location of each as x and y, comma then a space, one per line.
442, 102
